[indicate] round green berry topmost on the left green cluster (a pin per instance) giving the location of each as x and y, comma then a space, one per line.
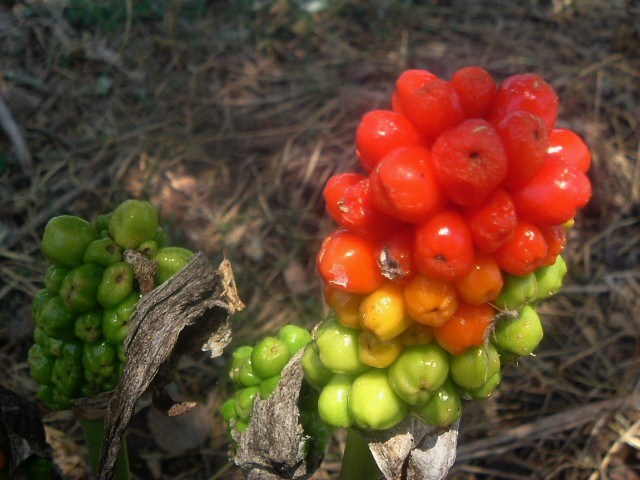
133, 222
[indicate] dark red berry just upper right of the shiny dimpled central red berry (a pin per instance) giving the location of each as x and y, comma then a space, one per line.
493, 222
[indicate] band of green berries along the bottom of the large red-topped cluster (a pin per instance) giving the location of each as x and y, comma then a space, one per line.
373, 384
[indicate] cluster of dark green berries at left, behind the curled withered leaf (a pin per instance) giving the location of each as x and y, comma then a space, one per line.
81, 316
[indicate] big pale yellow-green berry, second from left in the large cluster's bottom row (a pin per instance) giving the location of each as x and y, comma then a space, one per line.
373, 403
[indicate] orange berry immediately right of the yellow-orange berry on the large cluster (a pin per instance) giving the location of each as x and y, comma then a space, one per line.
430, 301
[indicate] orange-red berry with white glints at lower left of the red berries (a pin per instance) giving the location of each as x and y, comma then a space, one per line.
347, 262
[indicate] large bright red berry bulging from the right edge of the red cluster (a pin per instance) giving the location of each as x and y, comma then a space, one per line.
553, 195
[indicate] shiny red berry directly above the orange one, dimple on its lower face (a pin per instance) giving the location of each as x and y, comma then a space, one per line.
443, 248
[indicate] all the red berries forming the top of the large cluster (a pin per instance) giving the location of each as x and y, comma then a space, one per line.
454, 170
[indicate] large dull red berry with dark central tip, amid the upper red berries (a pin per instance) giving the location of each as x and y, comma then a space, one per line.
469, 162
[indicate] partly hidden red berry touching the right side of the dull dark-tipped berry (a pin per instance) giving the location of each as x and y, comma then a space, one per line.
525, 141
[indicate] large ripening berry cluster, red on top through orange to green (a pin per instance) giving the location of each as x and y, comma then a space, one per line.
455, 226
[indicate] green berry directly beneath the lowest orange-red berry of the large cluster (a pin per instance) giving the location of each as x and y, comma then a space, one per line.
475, 366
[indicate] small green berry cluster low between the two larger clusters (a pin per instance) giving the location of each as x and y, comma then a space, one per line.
255, 371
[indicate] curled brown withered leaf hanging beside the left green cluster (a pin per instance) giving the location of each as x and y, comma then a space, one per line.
191, 309
